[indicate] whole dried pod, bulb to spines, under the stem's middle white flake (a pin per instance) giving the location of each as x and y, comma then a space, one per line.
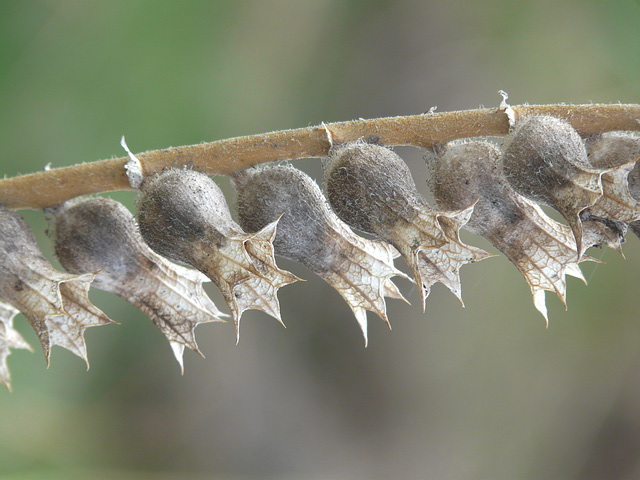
371, 189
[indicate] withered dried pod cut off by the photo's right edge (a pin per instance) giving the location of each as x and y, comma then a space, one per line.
611, 215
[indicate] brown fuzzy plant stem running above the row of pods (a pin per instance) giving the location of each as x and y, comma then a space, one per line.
52, 187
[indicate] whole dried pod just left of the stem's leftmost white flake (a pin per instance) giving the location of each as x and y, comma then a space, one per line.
100, 235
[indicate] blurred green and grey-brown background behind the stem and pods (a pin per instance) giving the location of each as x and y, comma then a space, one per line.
480, 392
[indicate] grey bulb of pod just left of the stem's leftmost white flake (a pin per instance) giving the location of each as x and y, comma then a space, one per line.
98, 234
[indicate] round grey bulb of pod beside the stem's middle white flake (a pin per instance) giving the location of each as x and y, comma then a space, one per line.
370, 187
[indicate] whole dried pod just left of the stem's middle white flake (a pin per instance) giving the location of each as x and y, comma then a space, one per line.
310, 233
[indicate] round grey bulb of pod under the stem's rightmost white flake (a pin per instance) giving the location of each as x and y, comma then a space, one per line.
543, 156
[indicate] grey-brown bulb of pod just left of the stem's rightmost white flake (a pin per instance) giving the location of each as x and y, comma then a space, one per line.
469, 172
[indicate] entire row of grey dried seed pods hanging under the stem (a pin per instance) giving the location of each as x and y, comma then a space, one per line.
185, 233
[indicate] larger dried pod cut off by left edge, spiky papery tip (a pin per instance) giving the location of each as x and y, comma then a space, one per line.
55, 303
